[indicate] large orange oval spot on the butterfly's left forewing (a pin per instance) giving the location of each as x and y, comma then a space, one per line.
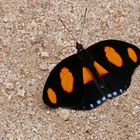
67, 80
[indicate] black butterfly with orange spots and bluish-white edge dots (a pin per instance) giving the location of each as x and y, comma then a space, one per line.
88, 78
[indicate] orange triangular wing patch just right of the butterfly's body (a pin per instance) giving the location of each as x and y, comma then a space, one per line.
101, 70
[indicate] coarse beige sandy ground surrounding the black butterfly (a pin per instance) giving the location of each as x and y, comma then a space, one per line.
33, 41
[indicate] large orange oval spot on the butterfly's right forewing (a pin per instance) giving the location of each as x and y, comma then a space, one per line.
113, 56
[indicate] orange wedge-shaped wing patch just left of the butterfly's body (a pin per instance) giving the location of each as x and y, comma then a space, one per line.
87, 75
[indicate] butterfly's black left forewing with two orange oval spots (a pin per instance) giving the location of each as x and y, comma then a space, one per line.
64, 84
